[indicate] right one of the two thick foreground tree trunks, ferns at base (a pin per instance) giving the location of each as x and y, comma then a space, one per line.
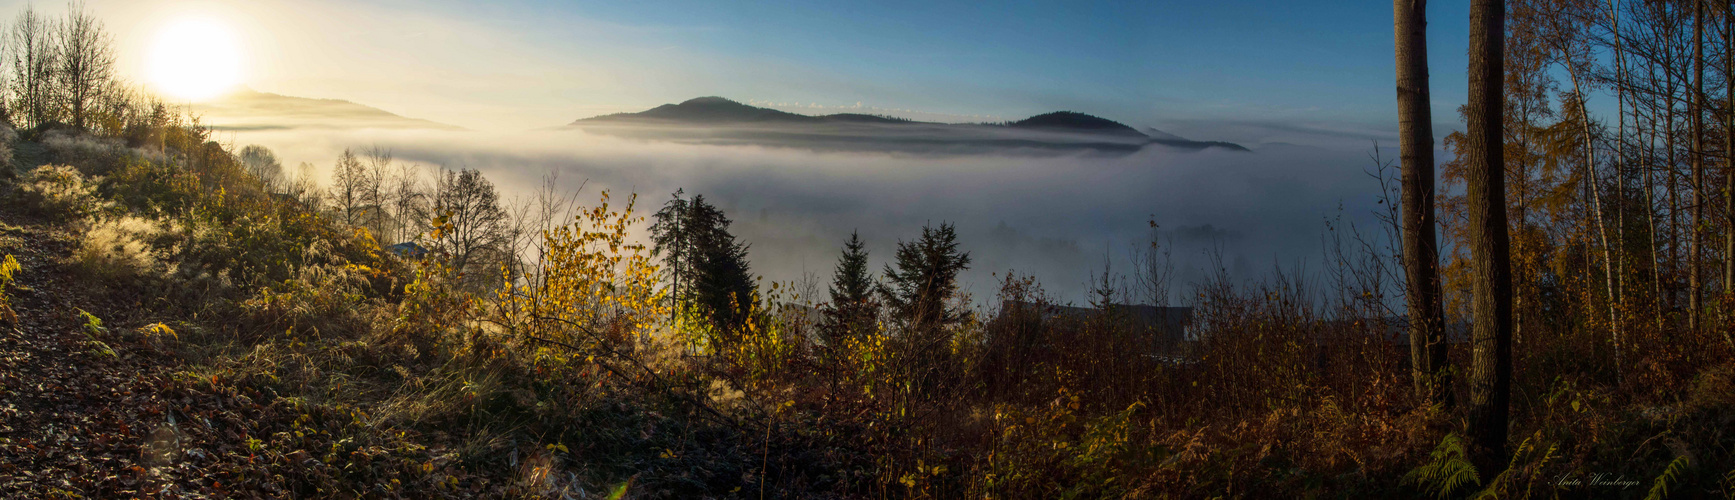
1489, 242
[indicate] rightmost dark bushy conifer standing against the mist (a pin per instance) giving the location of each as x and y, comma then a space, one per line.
926, 280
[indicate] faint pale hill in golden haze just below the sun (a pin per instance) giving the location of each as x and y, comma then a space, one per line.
249, 110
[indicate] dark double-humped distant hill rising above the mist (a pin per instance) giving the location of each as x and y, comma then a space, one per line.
717, 121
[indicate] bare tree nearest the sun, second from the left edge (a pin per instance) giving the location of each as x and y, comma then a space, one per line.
86, 55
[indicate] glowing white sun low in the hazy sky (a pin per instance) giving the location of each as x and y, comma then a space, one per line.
195, 60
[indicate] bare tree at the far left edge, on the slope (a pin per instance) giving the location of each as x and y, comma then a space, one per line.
32, 95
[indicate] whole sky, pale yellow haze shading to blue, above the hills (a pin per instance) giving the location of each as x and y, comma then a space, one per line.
1247, 70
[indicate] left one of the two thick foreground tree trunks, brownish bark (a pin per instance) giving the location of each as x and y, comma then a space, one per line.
1422, 256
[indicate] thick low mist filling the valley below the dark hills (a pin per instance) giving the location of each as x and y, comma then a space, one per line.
1054, 218
